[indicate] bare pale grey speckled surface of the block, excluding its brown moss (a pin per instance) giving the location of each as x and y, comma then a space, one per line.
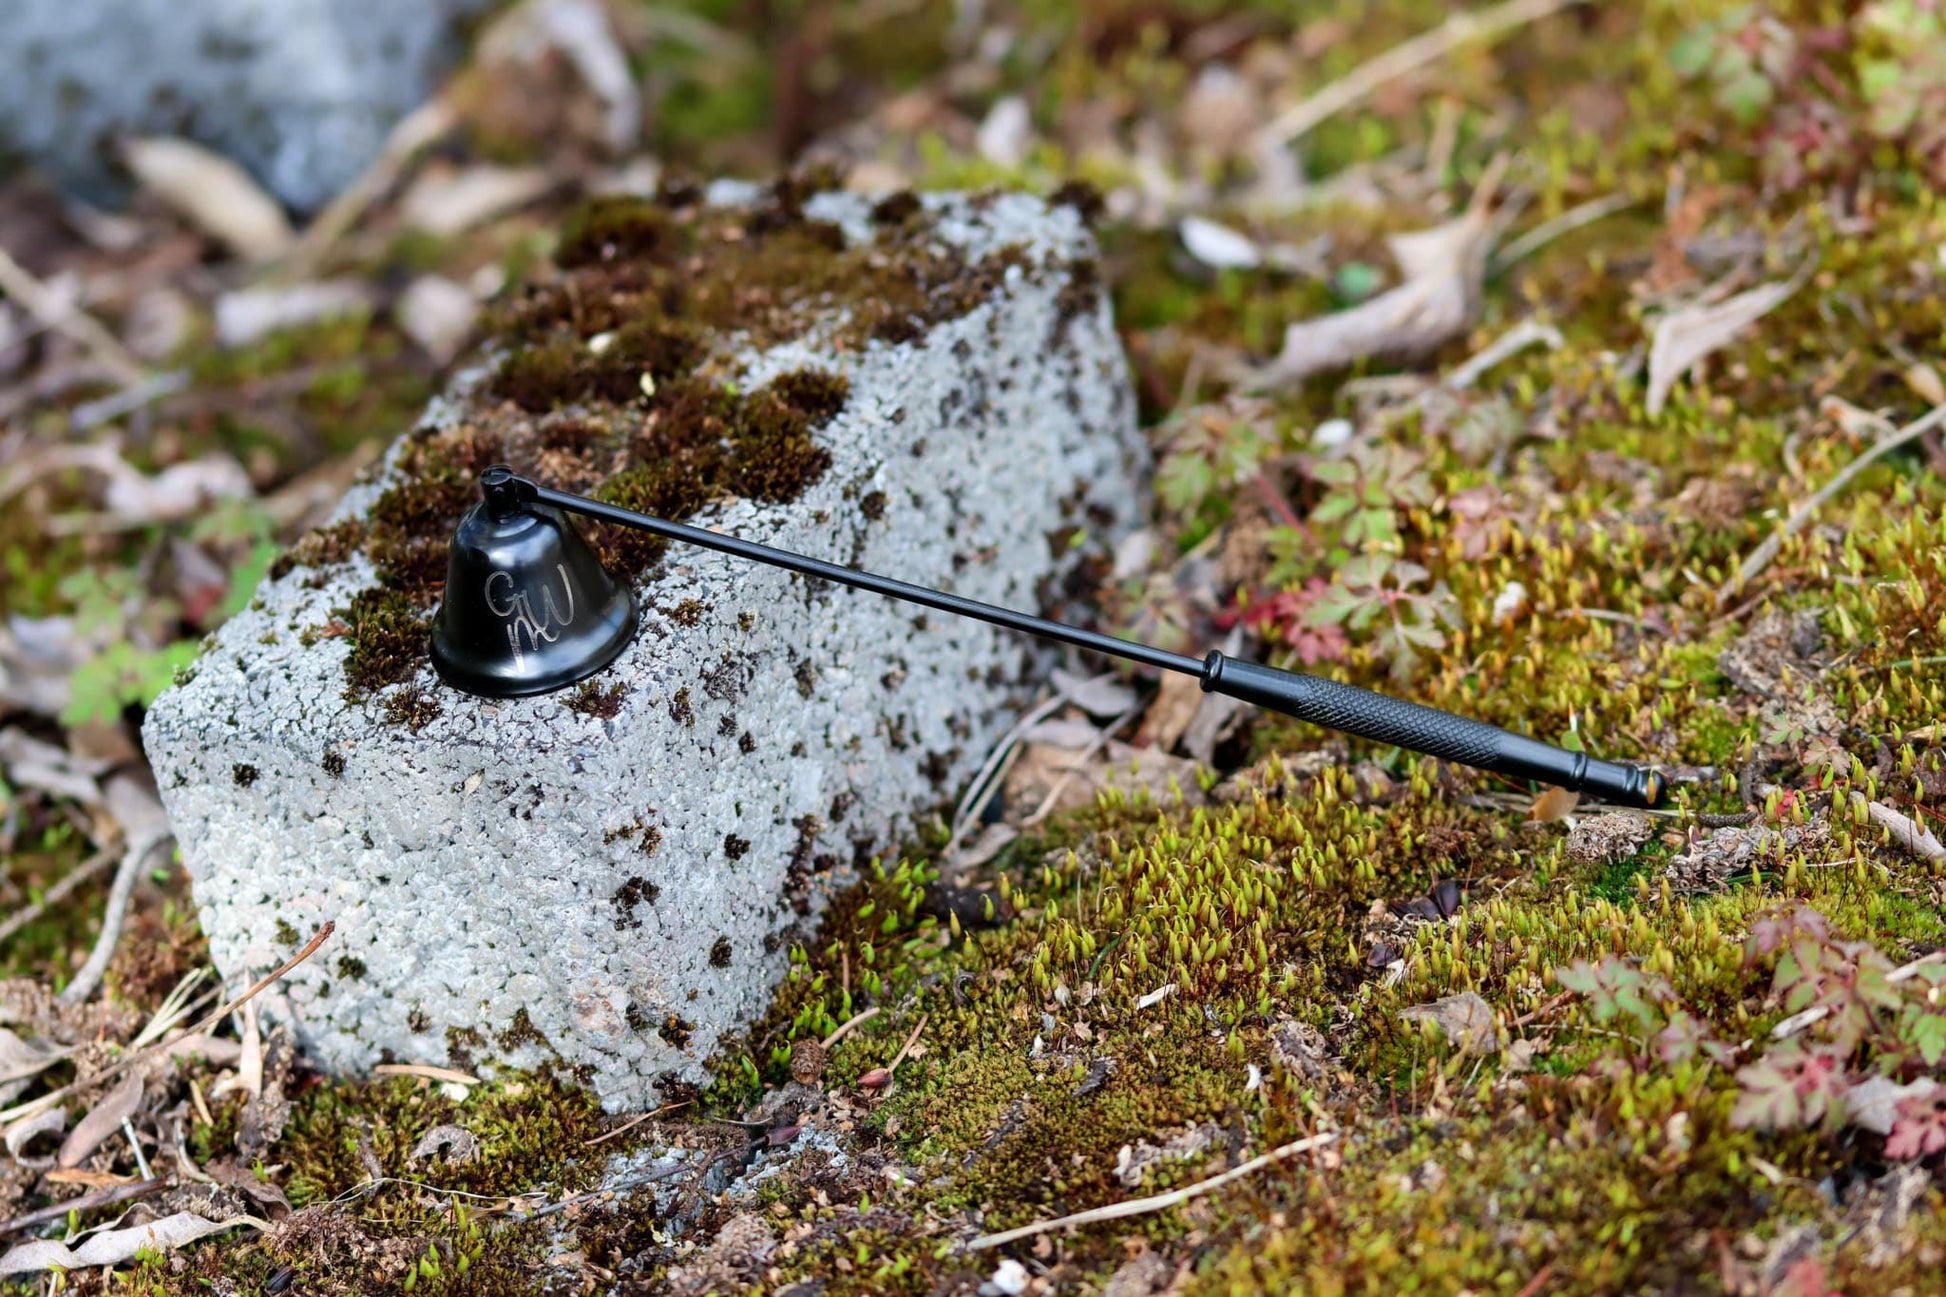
519, 881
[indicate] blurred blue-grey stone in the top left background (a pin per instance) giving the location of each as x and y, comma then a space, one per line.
301, 93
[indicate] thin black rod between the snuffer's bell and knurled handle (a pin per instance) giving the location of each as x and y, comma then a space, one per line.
875, 583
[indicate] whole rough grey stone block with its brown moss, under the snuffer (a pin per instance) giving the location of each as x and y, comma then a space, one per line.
614, 875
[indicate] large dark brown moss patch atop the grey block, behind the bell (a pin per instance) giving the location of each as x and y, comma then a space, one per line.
606, 387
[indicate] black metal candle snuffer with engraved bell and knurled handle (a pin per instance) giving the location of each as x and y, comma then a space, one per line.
528, 611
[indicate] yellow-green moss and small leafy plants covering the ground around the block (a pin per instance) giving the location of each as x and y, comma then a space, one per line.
1686, 1068
